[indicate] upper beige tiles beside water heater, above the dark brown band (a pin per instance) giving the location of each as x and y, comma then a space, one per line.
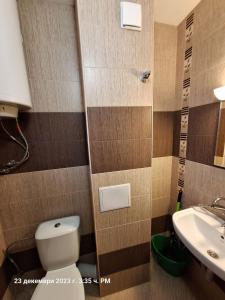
51, 49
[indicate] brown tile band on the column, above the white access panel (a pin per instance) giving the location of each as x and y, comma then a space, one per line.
120, 138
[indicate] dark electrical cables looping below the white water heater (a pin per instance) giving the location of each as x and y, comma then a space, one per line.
12, 164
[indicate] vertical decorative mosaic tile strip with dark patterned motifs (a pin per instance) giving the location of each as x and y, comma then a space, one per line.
185, 100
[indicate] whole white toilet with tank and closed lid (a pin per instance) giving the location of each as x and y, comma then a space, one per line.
58, 243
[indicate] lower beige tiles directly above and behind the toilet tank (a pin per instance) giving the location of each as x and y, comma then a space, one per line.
34, 197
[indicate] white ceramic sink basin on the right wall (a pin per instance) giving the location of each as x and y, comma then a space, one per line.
202, 234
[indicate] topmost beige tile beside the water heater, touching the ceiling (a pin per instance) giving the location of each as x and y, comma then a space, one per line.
44, 20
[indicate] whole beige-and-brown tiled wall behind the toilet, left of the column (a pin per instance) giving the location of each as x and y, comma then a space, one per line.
55, 181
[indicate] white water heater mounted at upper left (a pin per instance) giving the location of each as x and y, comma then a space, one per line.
14, 87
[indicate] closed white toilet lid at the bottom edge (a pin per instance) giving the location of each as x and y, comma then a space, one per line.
61, 284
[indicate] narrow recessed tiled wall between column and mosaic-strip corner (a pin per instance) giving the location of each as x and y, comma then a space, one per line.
166, 127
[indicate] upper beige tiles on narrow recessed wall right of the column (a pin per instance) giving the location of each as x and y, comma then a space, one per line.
165, 67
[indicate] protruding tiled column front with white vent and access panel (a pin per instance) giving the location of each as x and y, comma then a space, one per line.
119, 108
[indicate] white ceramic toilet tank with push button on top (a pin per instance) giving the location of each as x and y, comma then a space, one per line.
58, 242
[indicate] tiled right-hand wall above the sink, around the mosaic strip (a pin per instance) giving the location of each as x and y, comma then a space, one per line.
203, 181
